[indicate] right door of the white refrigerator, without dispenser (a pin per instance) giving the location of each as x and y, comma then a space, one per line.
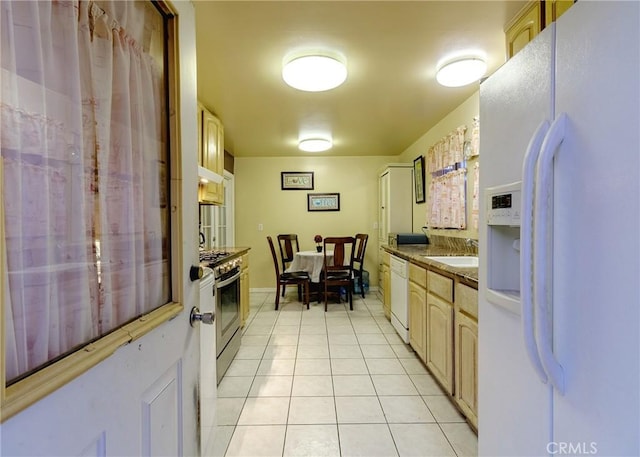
596, 299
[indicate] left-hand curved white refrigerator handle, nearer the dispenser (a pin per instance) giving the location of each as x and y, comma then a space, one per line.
526, 252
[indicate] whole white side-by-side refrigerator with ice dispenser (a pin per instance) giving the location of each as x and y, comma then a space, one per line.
559, 301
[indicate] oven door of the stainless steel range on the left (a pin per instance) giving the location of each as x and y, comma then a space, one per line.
227, 309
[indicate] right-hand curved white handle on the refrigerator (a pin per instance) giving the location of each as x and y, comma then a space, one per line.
543, 242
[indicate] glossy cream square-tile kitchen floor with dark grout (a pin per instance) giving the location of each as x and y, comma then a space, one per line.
341, 383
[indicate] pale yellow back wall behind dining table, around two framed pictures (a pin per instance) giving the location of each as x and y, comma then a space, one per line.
260, 200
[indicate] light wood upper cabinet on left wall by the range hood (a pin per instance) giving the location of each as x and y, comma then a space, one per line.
210, 155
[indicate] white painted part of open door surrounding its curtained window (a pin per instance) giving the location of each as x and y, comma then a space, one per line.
143, 399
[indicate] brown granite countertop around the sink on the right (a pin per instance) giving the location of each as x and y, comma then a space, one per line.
416, 252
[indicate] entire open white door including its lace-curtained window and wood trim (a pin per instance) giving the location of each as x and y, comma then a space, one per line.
106, 269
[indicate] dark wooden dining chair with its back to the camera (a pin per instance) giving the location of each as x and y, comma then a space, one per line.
337, 271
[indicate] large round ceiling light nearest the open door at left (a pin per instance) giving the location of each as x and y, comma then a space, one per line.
314, 73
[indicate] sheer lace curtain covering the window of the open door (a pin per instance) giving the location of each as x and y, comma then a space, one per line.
84, 157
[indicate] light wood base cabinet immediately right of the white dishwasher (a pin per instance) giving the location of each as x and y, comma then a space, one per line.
418, 310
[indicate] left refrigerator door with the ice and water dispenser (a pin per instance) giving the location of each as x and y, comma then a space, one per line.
514, 405
